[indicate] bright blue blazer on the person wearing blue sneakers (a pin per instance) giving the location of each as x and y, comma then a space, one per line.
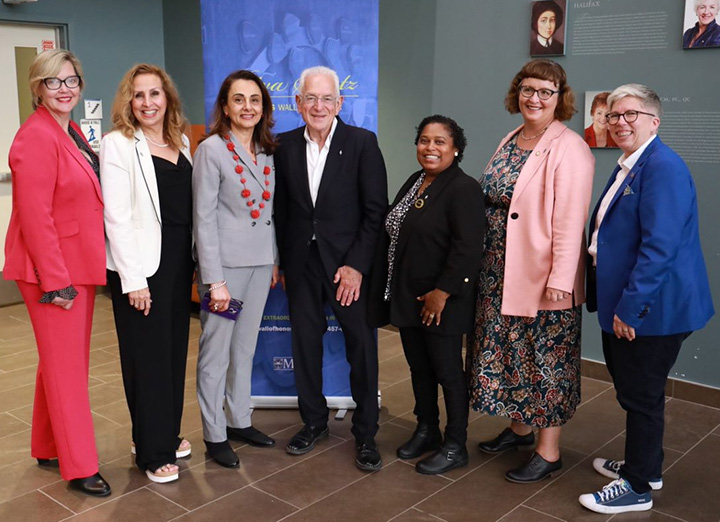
650, 268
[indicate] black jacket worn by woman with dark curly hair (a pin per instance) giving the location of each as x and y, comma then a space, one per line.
440, 246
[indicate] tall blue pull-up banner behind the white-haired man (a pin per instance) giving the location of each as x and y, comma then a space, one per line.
277, 40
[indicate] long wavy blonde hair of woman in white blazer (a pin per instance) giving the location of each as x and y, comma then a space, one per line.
124, 120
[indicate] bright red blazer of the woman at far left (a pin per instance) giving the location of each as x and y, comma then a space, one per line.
55, 237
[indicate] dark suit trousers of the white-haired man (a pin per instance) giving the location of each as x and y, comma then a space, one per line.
307, 294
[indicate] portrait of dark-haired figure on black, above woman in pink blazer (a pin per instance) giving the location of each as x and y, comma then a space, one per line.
547, 28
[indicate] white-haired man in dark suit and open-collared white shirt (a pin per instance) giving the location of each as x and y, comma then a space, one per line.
330, 200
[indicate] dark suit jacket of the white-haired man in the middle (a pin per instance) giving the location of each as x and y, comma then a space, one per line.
350, 205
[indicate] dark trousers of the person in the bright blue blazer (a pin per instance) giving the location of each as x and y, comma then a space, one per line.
640, 369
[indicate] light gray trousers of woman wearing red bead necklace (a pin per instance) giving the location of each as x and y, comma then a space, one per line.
226, 353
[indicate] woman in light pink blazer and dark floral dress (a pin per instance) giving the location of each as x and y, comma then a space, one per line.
524, 358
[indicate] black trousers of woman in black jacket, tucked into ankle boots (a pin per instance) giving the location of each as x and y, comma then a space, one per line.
437, 359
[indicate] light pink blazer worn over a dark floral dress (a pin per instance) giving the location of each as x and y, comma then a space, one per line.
546, 224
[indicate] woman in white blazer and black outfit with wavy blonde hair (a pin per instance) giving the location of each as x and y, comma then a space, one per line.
146, 175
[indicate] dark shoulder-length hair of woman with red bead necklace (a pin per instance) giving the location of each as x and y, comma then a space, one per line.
262, 133
